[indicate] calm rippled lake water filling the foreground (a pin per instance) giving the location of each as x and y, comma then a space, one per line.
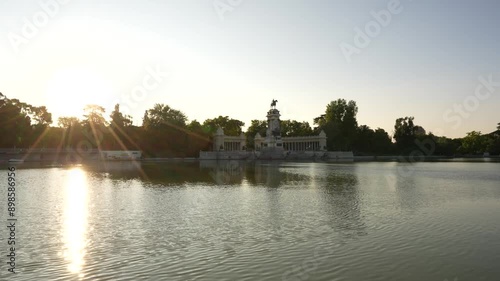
257, 221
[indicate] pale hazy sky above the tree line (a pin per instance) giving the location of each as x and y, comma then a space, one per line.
230, 57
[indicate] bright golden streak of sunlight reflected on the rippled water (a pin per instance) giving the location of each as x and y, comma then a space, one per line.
75, 220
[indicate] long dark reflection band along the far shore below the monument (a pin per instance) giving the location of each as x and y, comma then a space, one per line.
226, 172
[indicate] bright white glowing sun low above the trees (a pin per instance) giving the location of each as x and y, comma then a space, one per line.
71, 89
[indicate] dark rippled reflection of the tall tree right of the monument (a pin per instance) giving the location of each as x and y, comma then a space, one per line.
343, 203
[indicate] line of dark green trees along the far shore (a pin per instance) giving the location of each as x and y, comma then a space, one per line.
166, 132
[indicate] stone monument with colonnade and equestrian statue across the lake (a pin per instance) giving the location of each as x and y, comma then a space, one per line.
273, 146
